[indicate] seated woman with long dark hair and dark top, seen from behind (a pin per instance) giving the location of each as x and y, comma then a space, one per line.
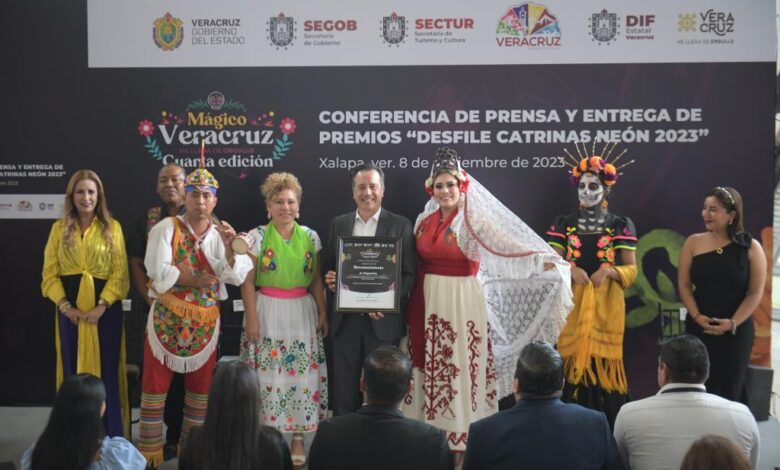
233, 437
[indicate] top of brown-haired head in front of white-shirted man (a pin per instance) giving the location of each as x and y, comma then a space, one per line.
712, 452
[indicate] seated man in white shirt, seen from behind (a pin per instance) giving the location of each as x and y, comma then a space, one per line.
655, 433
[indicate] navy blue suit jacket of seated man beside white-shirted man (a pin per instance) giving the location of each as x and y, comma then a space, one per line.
542, 434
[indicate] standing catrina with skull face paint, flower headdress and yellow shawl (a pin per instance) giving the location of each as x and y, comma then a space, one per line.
600, 246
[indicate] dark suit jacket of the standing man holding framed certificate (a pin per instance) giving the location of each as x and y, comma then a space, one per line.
392, 327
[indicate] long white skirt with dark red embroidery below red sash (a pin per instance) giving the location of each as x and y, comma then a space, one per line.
458, 383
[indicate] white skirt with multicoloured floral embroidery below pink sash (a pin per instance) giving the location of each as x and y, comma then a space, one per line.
289, 358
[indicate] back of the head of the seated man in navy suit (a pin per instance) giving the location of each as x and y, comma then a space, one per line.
539, 370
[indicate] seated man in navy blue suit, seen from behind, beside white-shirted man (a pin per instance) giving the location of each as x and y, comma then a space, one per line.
540, 431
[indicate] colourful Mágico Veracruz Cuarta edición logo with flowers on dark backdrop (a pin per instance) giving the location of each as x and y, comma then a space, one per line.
235, 138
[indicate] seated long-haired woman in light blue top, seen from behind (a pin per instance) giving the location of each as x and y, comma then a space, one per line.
74, 437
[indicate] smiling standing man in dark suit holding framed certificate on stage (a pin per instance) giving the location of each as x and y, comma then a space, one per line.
355, 335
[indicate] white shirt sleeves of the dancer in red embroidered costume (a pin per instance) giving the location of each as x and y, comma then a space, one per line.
159, 258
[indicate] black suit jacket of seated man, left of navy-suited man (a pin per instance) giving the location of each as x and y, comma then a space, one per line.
378, 437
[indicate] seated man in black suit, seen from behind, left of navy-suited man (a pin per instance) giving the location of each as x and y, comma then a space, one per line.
378, 436
